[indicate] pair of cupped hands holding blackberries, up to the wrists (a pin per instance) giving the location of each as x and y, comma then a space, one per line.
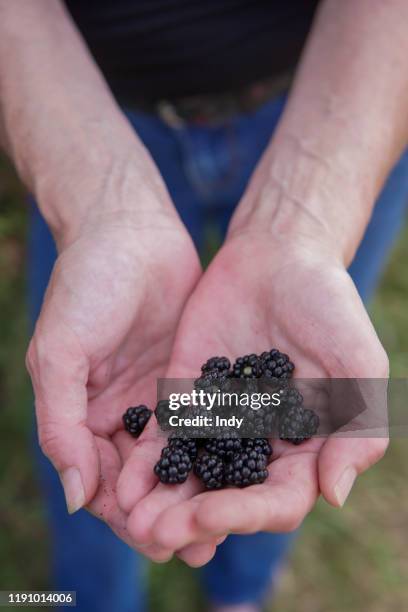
106, 333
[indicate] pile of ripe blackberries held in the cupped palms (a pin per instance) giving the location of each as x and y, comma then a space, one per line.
227, 459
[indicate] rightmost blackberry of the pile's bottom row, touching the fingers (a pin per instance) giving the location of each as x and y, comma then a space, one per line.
247, 467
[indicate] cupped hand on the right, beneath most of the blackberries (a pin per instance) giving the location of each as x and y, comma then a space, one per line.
255, 295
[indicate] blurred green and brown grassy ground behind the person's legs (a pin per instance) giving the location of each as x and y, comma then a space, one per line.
351, 560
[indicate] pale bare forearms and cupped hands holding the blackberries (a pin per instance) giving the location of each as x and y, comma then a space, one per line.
127, 297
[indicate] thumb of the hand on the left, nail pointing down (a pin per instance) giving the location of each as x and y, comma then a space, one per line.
59, 372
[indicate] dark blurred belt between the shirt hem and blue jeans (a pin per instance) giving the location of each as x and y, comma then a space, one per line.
216, 108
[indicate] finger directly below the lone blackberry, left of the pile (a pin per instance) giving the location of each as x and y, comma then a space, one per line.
137, 478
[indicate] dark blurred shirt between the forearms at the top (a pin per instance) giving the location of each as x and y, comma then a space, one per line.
155, 49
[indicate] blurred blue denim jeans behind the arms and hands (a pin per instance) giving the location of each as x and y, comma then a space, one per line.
206, 170
